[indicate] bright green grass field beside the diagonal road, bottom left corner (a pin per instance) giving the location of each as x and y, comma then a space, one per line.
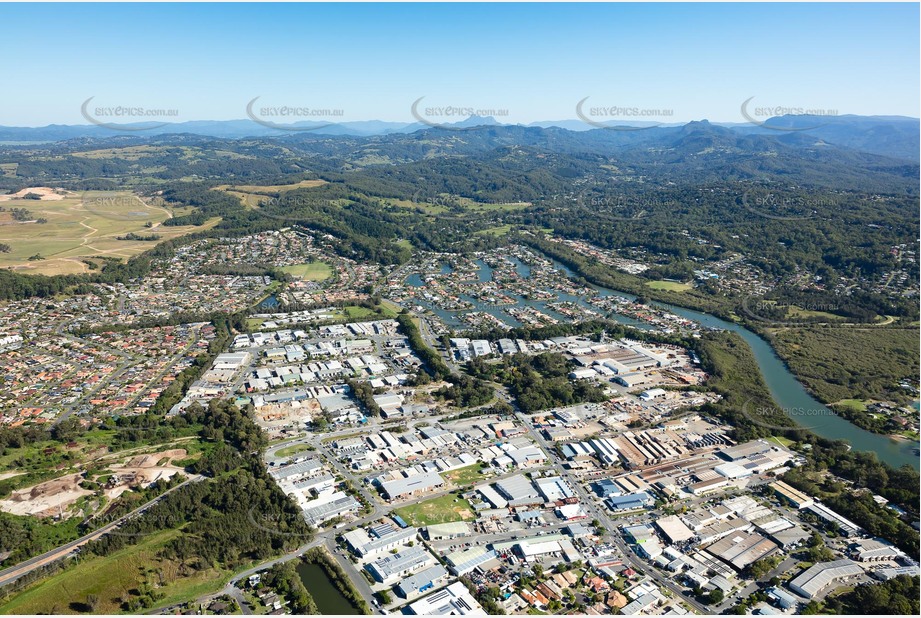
113, 579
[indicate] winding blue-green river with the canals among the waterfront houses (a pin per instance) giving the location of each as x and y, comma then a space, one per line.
786, 390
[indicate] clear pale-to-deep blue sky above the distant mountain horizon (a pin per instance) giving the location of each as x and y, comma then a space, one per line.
536, 60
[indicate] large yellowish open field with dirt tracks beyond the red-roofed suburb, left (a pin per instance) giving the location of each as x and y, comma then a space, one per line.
81, 226
